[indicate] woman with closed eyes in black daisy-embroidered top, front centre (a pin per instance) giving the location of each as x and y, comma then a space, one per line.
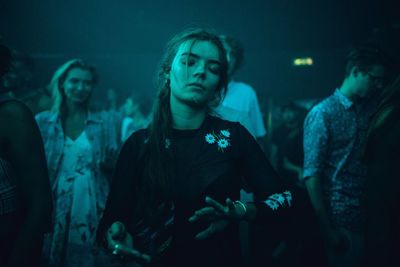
175, 182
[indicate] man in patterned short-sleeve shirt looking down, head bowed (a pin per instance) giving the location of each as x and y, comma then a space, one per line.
334, 136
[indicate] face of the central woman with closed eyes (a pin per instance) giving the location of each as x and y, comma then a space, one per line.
195, 73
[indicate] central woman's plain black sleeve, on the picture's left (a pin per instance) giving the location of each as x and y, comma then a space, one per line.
121, 199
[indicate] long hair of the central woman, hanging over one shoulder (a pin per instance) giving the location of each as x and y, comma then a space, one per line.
158, 158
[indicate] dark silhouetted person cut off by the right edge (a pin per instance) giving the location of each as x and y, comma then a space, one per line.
382, 157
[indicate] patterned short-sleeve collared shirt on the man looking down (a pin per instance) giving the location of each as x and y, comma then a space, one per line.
334, 138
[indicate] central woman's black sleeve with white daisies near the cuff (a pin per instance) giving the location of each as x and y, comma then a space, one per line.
273, 201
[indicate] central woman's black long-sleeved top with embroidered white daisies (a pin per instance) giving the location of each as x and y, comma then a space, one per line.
210, 161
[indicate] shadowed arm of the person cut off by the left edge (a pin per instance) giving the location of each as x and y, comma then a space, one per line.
24, 150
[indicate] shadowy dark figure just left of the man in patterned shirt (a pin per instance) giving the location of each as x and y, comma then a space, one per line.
302, 245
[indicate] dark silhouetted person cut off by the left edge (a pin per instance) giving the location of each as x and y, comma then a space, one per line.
25, 196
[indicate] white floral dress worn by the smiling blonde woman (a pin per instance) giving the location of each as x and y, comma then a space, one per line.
76, 209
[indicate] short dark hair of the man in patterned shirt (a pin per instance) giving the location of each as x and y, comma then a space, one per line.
365, 57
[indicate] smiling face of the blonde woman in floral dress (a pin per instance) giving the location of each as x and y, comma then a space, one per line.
78, 85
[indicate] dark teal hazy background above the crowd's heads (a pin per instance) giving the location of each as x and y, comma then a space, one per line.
125, 38
